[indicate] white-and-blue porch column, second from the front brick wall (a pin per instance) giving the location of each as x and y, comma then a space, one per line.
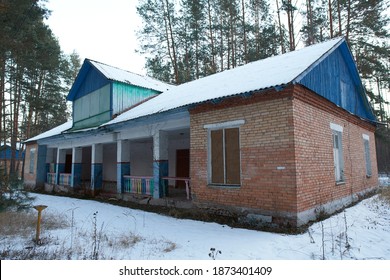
123, 163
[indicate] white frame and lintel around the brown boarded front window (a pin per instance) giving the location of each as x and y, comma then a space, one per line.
221, 126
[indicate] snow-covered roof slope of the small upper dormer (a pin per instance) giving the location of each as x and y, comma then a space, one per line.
120, 75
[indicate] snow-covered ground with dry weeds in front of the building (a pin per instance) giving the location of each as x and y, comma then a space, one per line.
99, 230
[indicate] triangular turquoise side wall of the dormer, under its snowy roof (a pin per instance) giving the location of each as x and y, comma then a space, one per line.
125, 96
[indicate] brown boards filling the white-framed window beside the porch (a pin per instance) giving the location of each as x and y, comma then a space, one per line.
225, 156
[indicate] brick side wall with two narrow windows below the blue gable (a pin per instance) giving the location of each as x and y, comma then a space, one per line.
314, 151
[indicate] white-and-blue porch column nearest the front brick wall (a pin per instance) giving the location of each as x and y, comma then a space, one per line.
160, 162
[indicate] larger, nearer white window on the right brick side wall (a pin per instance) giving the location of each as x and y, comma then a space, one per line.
337, 131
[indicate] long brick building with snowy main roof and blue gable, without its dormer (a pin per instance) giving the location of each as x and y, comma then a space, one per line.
278, 141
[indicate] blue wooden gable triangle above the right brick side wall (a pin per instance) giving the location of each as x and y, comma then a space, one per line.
335, 79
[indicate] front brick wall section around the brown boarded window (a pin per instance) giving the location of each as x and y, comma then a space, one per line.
266, 141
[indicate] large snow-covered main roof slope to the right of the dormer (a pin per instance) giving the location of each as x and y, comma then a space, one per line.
269, 72
